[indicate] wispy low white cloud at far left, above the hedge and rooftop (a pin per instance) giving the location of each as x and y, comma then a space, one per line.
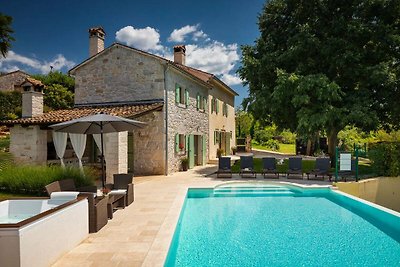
14, 61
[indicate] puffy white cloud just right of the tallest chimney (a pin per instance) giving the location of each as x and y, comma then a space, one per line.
145, 39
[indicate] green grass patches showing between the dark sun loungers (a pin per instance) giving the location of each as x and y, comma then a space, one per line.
365, 169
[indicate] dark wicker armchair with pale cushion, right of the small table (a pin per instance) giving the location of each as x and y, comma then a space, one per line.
123, 184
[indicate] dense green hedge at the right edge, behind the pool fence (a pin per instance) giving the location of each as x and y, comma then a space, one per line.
385, 158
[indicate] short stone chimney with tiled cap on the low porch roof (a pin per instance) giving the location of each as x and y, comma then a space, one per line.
32, 98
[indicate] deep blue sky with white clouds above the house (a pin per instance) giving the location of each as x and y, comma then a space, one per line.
56, 32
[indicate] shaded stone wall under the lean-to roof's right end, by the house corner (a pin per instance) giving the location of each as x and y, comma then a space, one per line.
149, 145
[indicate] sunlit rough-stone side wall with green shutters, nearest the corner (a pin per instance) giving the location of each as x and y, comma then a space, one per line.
182, 120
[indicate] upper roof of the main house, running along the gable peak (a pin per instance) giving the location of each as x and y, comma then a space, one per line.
203, 77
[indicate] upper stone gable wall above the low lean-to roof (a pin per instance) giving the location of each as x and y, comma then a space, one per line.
119, 74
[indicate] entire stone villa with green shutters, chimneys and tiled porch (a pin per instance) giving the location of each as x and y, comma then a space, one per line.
188, 112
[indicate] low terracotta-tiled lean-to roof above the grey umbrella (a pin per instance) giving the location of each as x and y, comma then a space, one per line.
57, 116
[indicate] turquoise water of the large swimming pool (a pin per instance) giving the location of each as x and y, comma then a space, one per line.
274, 225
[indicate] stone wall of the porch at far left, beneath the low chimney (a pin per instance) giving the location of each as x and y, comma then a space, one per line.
29, 144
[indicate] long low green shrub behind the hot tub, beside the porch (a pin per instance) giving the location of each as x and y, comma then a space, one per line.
32, 179
